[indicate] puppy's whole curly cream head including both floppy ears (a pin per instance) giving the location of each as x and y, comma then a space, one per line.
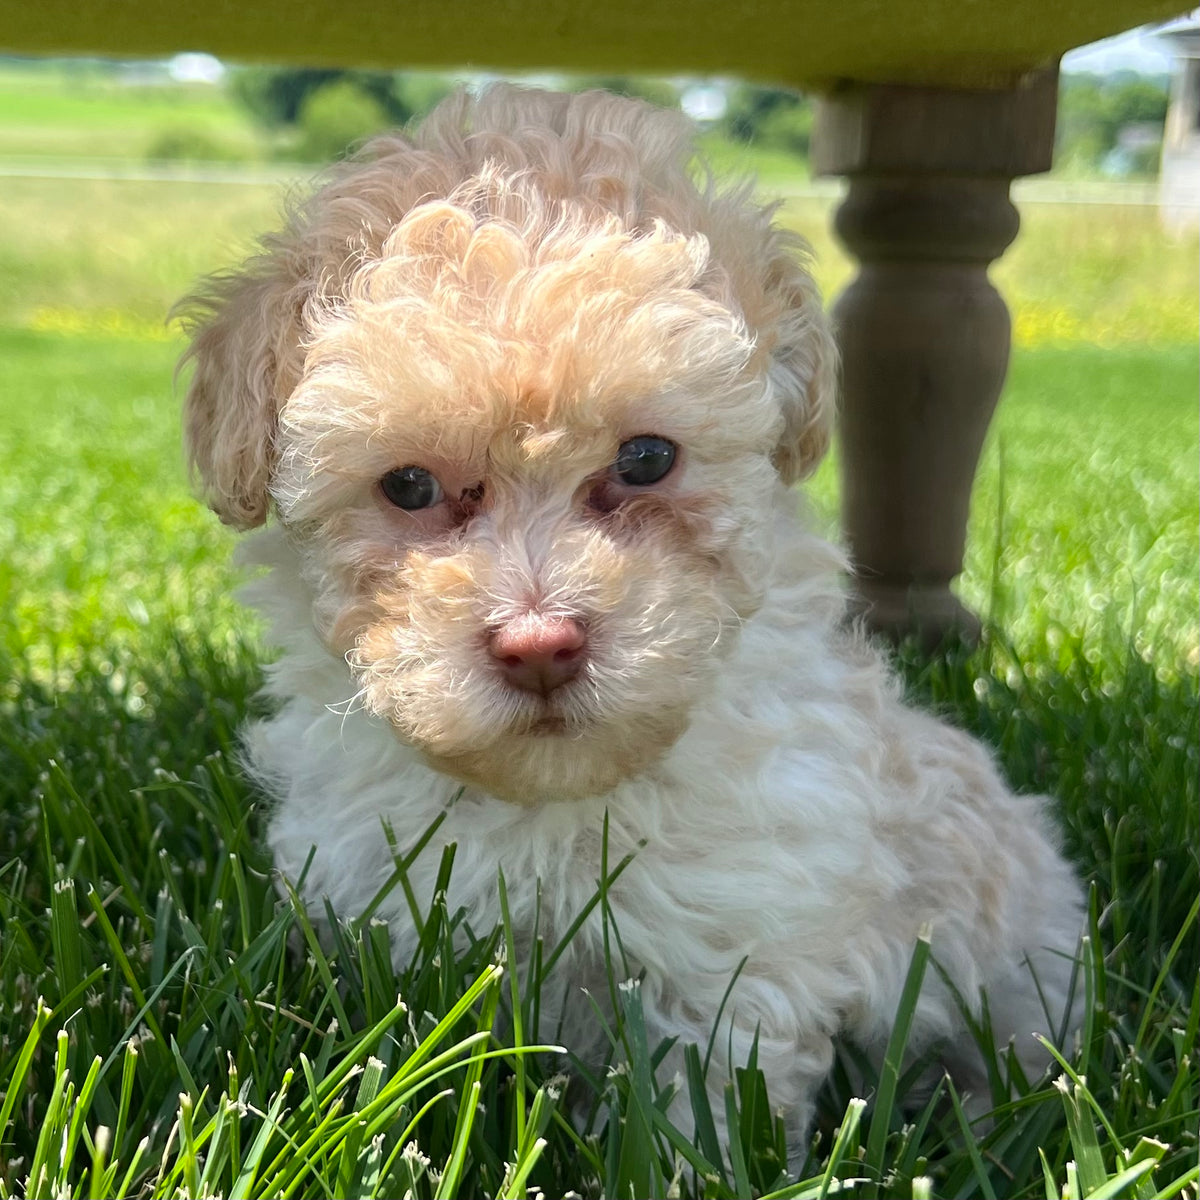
523, 397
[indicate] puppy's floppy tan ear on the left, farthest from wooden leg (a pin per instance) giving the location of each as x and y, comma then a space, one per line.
245, 332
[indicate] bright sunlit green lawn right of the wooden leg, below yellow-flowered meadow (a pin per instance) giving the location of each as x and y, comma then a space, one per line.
1085, 512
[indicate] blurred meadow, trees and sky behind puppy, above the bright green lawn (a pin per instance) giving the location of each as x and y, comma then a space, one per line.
127, 181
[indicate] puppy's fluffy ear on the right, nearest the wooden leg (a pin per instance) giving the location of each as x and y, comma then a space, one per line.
803, 369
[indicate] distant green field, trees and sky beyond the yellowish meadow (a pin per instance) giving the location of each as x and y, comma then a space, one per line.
194, 110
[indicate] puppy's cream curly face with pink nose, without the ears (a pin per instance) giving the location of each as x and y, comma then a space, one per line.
530, 471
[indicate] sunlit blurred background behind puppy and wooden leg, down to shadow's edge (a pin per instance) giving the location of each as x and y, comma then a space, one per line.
123, 183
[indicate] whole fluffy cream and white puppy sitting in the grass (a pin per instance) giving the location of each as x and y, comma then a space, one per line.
526, 401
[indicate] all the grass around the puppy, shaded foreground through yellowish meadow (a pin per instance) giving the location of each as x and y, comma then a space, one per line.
169, 1027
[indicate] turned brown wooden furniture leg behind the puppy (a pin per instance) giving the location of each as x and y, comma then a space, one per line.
925, 337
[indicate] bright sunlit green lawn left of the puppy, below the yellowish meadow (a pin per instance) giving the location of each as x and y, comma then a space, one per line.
100, 538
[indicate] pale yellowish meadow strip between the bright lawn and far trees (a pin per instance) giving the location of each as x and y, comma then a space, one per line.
92, 255
